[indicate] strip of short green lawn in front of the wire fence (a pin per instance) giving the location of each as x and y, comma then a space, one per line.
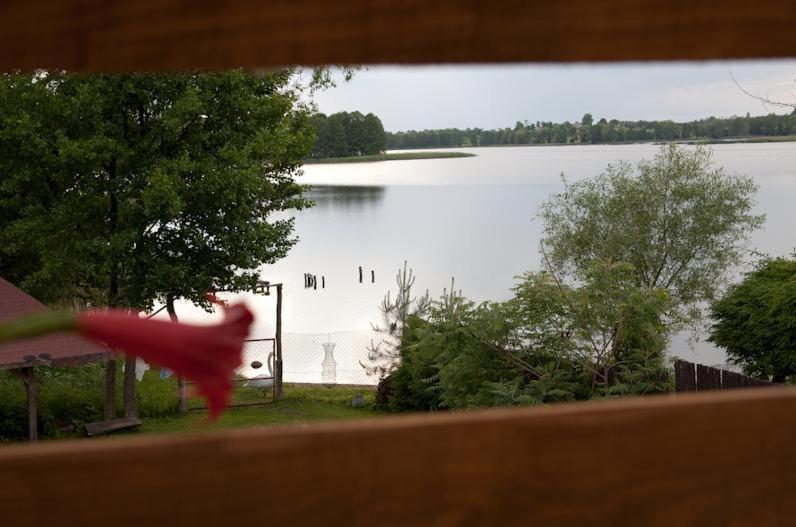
297, 405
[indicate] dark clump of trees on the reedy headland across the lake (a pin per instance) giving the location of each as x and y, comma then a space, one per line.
345, 134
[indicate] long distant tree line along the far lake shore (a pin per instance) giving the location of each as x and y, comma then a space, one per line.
587, 131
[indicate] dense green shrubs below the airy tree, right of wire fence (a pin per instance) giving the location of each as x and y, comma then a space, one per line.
551, 342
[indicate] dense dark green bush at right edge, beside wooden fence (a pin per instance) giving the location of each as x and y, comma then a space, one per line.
755, 321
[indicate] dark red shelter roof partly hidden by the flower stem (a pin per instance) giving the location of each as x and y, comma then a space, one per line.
58, 349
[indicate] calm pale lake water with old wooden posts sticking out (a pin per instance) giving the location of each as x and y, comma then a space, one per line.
469, 218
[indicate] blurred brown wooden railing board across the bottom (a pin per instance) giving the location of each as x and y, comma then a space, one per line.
717, 458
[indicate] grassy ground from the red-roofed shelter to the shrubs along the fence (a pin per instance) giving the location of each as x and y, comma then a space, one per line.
71, 397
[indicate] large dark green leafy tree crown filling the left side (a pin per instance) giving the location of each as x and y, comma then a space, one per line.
122, 189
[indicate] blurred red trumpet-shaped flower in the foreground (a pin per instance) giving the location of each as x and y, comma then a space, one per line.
208, 355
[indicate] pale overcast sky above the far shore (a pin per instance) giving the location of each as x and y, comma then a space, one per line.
412, 97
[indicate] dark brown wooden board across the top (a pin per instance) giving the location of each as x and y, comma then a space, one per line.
97, 35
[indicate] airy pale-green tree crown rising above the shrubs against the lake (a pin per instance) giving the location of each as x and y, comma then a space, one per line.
677, 219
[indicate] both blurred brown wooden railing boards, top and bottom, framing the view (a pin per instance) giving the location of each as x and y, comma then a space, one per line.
717, 458
